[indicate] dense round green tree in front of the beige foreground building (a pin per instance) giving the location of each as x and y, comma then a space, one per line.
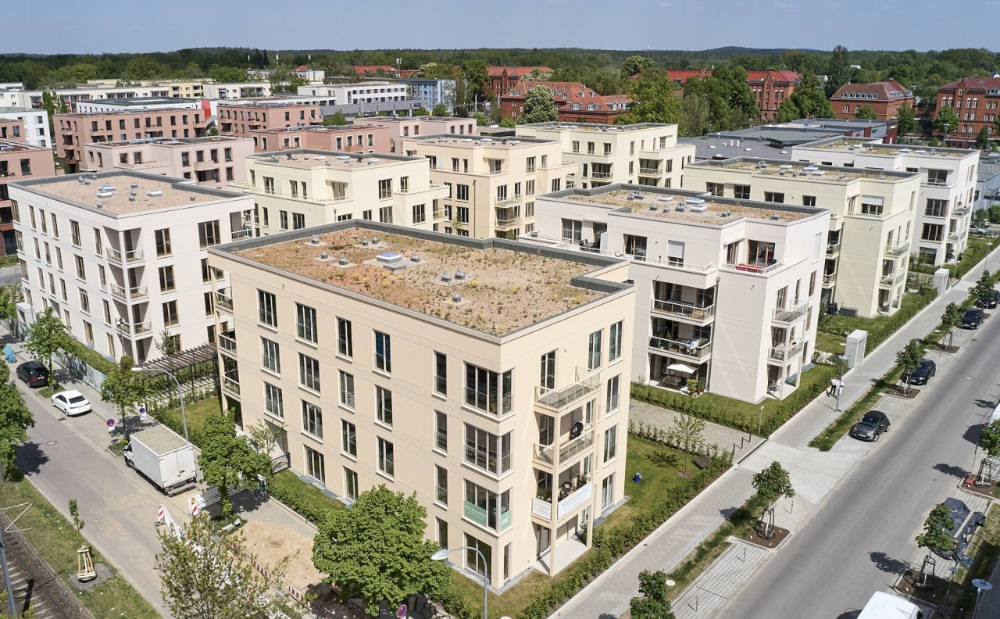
396, 566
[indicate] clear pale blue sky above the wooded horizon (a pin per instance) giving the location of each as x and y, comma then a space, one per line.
95, 26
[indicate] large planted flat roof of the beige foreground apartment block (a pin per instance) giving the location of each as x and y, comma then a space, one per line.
505, 285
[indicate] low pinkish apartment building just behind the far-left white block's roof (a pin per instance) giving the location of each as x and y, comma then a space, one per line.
211, 161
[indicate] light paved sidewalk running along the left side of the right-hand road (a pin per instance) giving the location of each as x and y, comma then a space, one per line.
814, 473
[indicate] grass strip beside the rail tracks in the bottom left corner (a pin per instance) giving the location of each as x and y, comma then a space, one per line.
57, 542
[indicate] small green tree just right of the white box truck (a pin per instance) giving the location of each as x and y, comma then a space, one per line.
227, 458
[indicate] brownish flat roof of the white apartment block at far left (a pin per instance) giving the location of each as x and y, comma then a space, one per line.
82, 190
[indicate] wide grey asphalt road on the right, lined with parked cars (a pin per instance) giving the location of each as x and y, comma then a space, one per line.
861, 537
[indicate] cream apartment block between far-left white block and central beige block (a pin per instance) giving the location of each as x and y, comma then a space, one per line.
302, 188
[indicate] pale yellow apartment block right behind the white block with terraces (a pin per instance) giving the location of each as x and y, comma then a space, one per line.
867, 247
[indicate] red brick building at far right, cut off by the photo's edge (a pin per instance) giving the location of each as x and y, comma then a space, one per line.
976, 100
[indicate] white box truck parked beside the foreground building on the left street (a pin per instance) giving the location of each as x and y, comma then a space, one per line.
164, 458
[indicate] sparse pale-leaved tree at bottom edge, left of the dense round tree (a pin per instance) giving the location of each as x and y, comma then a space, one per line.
205, 572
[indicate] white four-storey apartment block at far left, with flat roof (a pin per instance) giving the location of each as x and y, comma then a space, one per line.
121, 256
